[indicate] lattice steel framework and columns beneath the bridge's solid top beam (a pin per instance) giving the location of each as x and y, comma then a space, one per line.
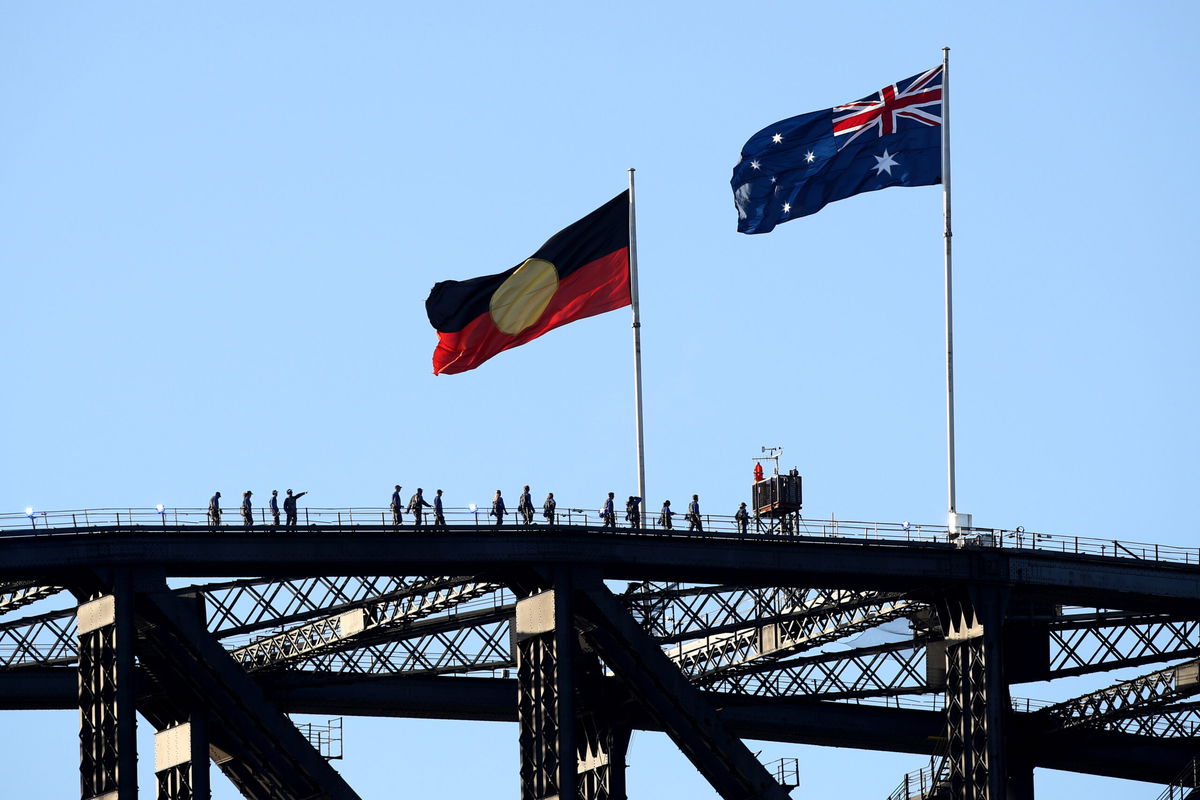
569, 641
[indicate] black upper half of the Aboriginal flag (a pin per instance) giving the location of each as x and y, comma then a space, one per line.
452, 305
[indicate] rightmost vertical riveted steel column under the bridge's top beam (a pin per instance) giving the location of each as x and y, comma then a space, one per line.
977, 701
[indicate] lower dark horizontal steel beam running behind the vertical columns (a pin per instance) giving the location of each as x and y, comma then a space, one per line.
1112, 754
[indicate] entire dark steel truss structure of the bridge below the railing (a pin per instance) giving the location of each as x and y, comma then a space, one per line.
881, 646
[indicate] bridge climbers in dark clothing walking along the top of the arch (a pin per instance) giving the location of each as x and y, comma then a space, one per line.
418, 504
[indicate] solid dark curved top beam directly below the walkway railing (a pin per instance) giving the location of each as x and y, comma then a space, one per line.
880, 566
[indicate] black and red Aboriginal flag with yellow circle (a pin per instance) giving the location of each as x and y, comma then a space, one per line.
583, 272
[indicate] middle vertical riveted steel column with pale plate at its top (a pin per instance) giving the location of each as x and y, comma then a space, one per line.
544, 635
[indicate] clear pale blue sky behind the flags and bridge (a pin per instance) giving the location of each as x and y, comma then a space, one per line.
219, 226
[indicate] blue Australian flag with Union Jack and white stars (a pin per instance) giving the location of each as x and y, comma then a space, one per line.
796, 167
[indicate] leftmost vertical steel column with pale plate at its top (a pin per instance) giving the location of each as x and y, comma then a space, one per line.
109, 754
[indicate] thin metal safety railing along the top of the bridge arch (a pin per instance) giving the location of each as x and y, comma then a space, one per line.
34, 522
